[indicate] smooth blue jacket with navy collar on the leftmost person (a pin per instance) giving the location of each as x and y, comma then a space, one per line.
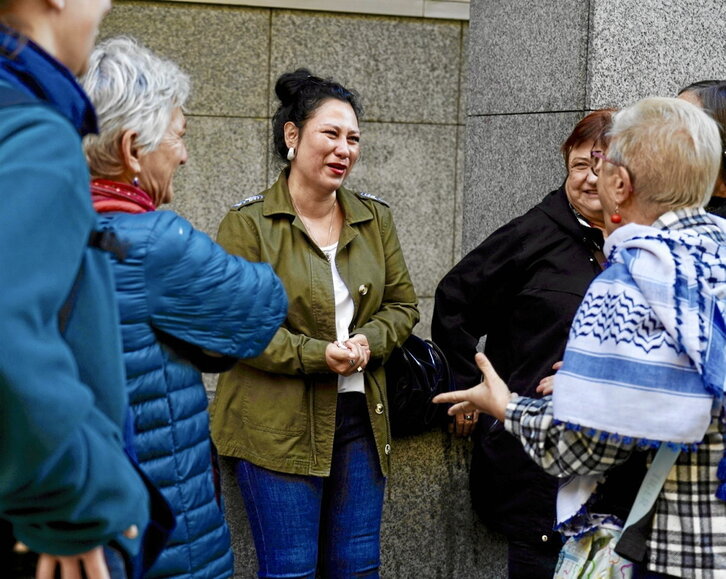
66, 484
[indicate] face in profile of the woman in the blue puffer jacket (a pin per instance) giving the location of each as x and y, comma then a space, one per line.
158, 167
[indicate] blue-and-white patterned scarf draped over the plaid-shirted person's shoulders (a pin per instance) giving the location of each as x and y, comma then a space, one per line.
646, 356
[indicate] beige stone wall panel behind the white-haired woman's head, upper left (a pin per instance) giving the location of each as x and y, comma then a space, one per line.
223, 49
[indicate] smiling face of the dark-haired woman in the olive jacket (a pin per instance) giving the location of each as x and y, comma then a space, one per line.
326, 148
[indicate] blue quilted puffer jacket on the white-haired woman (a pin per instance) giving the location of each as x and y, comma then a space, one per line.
176, 280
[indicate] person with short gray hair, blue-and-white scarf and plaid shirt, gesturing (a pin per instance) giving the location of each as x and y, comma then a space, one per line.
645, 363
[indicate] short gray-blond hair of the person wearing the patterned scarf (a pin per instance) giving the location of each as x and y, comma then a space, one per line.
671, 149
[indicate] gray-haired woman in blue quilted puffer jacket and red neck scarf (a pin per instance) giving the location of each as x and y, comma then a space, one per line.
185, 304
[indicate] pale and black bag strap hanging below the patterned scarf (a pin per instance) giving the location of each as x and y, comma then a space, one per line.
632, 542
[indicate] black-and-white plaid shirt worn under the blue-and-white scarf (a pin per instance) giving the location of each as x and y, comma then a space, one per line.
688, 538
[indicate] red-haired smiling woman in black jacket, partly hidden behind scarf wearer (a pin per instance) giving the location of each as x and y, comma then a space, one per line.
521, 288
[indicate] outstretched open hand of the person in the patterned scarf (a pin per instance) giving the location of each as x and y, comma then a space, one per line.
490, 397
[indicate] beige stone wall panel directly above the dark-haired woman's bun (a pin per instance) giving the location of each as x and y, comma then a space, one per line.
406, 70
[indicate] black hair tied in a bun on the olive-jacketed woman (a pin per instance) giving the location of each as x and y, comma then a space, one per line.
300, 95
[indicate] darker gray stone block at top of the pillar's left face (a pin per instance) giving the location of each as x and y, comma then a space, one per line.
527, 56
